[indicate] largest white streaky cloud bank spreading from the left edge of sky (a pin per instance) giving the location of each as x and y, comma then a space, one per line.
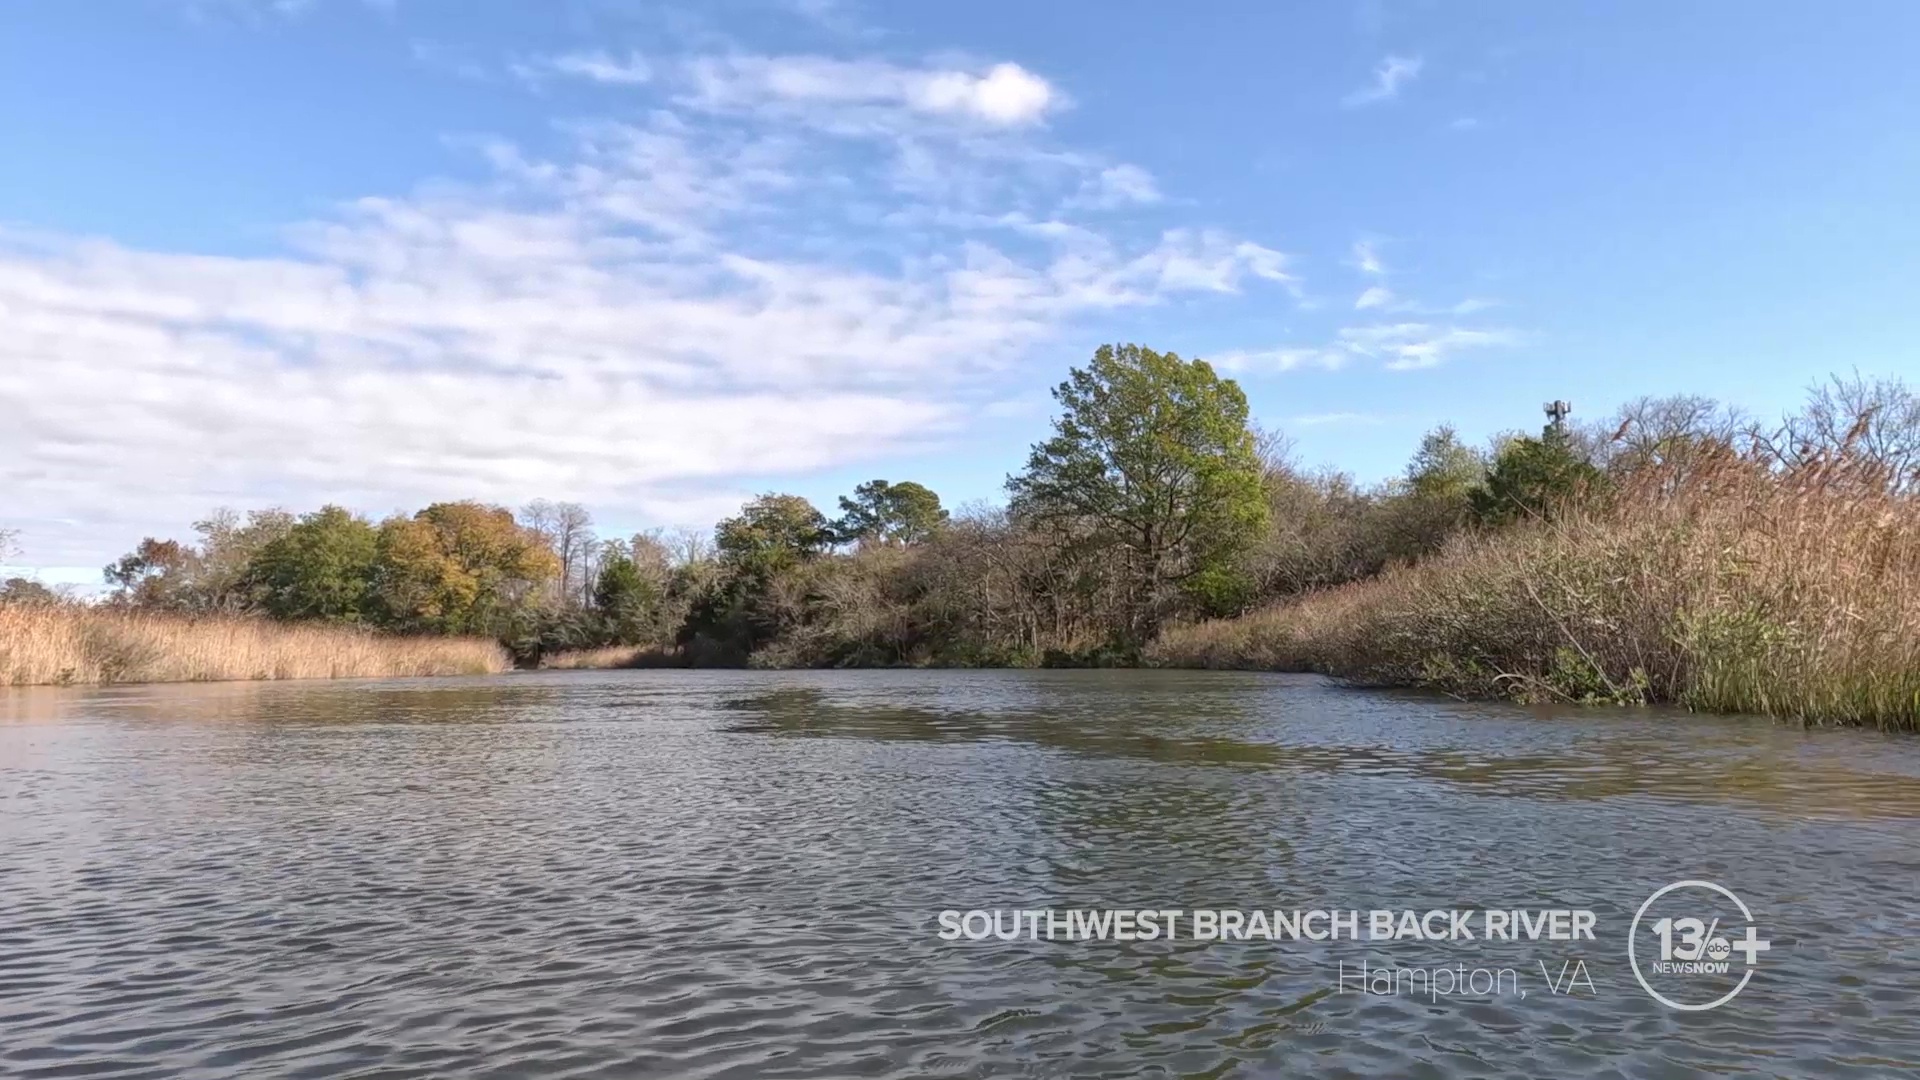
644, 322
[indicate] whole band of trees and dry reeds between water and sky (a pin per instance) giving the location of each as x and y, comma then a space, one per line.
1671, 554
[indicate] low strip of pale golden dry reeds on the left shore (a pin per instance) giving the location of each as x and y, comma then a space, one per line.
60, 645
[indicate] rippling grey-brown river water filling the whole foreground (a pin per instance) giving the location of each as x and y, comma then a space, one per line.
738, 875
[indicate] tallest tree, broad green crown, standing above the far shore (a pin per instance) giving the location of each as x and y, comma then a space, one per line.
1153, 458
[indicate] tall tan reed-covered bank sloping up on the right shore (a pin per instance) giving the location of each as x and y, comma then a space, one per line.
1723, 587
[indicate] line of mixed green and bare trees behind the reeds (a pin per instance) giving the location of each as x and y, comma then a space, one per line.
1155, 501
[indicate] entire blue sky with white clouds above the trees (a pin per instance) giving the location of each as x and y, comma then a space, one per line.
656, 258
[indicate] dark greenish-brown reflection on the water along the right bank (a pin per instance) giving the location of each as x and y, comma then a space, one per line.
1739, 760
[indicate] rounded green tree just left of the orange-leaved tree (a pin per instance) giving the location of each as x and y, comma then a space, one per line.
324, 568
